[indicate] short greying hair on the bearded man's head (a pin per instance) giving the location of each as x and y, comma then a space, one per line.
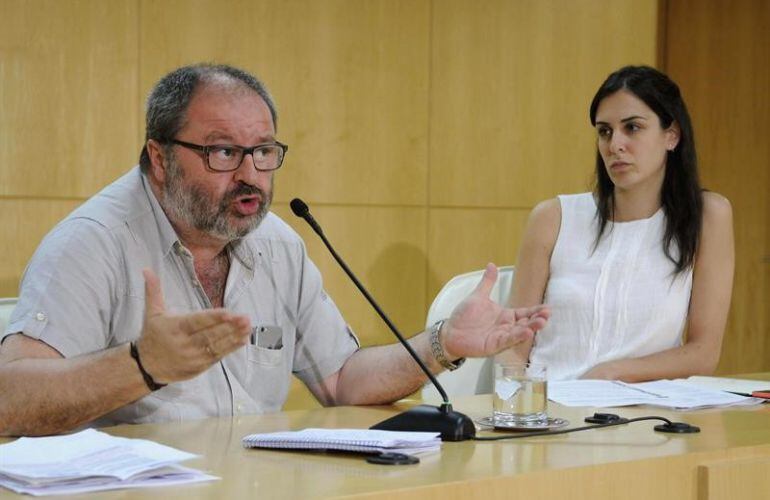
168, 101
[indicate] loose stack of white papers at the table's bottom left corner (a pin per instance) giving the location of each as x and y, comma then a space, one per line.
91, 461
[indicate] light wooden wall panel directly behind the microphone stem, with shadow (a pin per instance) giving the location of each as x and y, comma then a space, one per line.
389, 257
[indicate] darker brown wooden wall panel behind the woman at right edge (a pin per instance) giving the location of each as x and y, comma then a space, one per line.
719, 52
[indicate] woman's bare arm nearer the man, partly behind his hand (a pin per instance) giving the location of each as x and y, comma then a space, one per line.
534, 262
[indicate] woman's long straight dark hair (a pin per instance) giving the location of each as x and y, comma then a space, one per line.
681, 194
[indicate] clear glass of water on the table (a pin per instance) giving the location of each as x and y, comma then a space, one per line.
520, 393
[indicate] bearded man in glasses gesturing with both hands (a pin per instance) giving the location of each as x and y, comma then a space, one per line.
174, 293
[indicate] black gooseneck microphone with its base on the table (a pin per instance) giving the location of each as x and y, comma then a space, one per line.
452, 425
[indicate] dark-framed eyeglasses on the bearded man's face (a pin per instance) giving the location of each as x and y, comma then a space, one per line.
228, 157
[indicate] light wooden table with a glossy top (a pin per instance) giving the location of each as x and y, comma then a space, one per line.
730, 458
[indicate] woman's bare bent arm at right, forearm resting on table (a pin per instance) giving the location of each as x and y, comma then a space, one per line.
712, 286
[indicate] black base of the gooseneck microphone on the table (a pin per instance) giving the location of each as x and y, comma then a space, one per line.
453, 425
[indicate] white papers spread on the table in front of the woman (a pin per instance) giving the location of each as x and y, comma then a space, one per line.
664, 393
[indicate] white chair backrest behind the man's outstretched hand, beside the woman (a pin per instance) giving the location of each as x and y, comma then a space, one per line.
475, 376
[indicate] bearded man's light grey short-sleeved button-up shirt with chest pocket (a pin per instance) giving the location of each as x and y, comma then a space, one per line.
83, 291
